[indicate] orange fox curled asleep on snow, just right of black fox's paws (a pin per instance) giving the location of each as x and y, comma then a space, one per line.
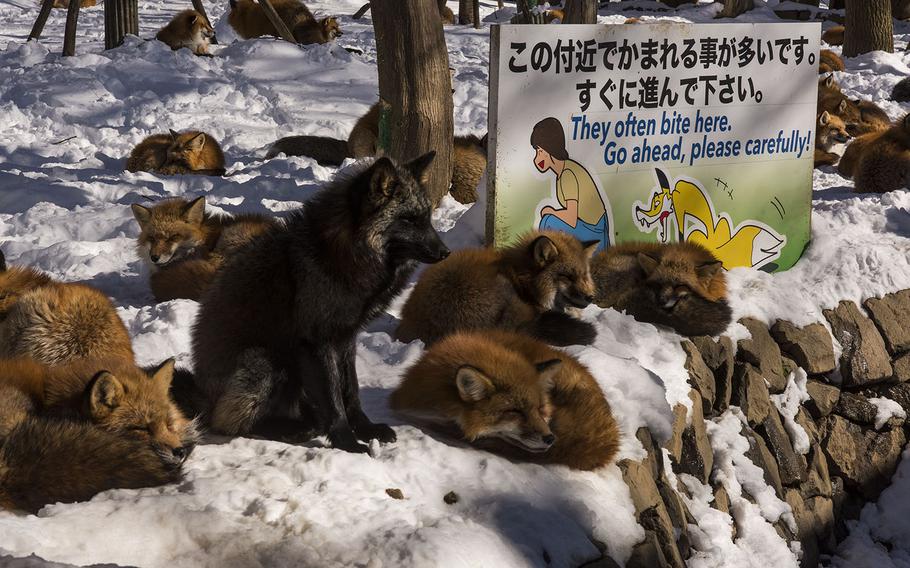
514, 395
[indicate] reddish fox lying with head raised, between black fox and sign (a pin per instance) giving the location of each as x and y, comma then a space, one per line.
523, 287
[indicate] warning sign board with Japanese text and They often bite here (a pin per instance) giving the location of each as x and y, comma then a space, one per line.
661, 132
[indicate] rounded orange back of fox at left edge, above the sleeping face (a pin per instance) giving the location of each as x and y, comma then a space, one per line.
54, 322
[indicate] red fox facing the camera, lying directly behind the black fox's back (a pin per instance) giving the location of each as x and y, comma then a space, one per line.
184, 246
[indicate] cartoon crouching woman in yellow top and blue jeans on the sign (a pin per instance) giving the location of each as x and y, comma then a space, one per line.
582, 210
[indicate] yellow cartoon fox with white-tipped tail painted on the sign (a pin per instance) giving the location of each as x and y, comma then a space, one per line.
752, 244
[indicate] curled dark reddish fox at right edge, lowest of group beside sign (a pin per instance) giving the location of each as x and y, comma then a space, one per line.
884, 162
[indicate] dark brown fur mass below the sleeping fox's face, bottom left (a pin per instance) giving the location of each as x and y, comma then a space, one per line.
47, 460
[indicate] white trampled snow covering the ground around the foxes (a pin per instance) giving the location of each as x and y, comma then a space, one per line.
67, 123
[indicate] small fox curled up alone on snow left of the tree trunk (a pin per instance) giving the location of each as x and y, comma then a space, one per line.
190, 152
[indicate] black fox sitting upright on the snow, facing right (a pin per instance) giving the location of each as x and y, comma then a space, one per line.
274, 342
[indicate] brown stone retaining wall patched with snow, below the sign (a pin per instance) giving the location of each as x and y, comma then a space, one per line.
849, 461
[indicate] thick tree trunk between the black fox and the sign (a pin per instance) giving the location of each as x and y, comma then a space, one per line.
415, 91
